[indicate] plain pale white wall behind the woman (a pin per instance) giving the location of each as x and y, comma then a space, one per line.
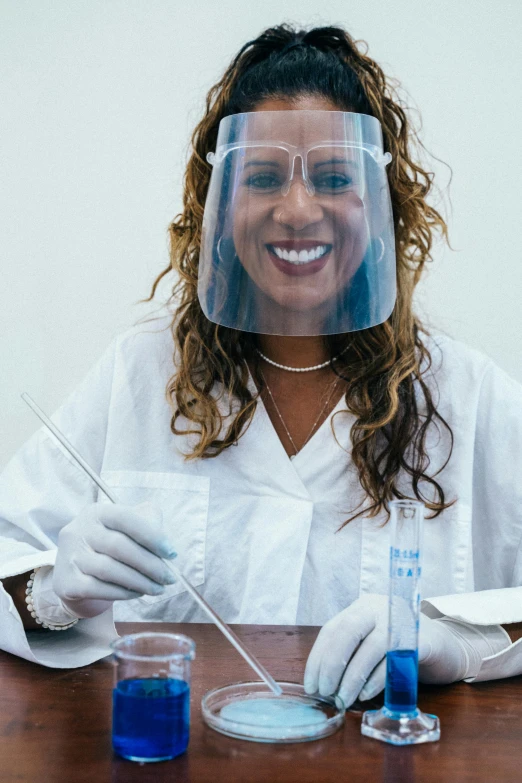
97, 101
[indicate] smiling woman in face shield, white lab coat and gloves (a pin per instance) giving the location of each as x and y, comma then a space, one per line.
302, 397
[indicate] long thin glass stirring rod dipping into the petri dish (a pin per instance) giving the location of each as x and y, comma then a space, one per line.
223, 627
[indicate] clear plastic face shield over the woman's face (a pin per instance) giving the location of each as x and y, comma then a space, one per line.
298, 229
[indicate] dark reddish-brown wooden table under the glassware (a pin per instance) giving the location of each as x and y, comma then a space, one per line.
55, 725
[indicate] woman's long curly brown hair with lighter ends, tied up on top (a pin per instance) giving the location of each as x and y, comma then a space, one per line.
384, 366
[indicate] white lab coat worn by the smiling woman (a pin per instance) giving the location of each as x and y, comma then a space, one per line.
256, 531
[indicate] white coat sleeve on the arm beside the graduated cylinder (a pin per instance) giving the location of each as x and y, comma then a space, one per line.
497, 528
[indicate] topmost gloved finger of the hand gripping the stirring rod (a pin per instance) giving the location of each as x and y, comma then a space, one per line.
142, 523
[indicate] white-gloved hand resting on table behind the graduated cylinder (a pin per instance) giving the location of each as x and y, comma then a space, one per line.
349, 653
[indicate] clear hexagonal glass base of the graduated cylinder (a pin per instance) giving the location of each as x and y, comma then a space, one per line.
400, 728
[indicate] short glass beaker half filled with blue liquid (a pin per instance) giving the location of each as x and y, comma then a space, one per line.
151, 696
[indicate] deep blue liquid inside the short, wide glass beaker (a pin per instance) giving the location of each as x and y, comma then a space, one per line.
150, 718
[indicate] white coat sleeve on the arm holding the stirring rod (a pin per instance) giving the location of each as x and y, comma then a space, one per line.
41, 490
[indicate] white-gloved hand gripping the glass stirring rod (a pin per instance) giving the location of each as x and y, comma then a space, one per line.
110, 553
